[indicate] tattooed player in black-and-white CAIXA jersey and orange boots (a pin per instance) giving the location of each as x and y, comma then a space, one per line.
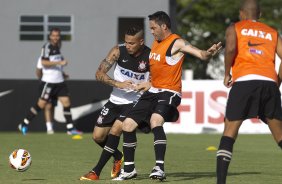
131, 75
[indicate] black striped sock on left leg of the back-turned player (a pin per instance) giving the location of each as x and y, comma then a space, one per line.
224, 155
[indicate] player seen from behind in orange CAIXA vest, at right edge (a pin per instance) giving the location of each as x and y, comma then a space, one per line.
250, 52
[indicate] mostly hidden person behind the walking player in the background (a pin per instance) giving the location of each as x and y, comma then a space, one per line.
49, 108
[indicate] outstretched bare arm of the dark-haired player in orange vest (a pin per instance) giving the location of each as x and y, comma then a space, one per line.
182, 46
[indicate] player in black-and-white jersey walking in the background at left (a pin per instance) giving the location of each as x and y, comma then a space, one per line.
52, 83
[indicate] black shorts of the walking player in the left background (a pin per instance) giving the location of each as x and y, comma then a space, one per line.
51, 91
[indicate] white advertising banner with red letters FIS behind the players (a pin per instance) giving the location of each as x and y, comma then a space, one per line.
202, 110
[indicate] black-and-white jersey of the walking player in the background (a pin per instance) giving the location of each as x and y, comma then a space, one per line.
52, 74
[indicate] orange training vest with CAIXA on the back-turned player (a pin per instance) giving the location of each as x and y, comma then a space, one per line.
256, 48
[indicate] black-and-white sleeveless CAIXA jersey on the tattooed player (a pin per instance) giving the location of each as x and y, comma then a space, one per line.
131, 68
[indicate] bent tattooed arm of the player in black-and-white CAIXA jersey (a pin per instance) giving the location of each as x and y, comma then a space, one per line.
106, 65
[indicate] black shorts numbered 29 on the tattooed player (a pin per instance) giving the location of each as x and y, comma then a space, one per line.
111, 112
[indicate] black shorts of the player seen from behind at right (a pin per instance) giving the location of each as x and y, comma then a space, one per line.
254, 99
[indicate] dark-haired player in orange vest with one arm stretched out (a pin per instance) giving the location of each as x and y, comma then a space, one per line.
159, 104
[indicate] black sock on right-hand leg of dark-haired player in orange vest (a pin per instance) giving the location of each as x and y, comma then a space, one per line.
159, 145
